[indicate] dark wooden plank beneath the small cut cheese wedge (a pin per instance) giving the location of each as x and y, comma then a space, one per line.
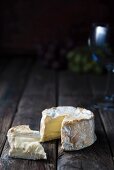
39, 94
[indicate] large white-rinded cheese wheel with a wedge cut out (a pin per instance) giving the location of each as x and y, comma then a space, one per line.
77, 126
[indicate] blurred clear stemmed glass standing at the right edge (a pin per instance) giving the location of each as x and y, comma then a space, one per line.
99, 38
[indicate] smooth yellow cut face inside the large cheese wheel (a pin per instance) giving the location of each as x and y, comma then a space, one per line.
52, 129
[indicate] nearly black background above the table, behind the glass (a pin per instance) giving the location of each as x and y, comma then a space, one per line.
25, 24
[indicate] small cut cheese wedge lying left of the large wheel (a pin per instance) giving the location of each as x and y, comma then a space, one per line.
24, 143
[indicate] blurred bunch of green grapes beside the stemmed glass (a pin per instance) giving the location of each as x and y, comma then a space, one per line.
82, 60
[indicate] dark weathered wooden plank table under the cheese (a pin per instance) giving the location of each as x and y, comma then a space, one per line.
25, 90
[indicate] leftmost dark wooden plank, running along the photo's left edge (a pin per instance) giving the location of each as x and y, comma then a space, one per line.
11, 88
